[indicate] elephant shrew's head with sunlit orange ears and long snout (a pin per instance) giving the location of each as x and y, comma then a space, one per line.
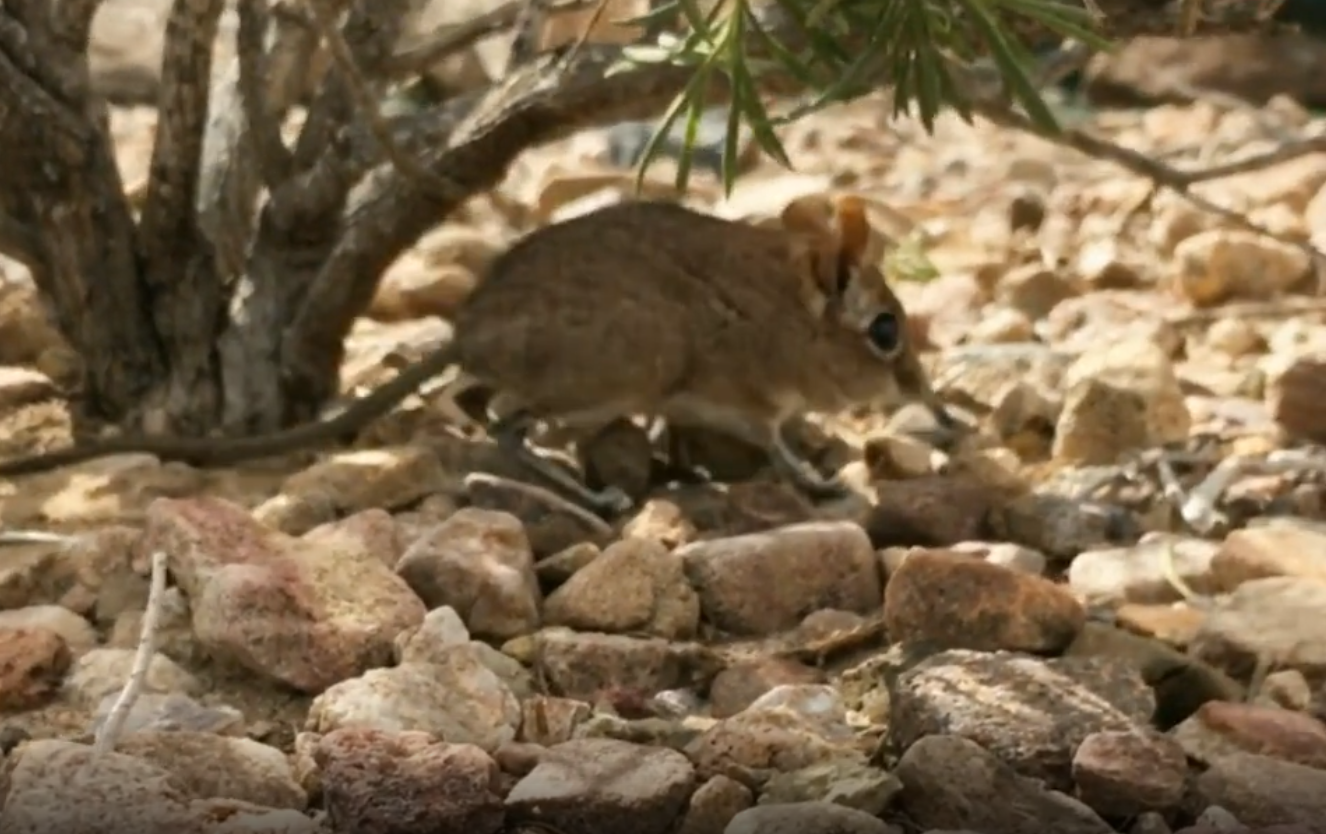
840, 258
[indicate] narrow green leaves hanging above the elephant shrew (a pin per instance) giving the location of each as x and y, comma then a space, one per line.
851, 47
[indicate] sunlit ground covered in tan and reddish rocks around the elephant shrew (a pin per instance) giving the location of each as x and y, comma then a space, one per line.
1101, 612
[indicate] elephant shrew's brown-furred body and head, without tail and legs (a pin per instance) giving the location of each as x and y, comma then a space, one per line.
644, 303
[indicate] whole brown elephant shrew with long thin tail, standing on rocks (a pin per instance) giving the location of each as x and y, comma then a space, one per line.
649, 308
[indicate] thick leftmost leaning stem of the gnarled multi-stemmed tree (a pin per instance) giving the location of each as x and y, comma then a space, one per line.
62, 182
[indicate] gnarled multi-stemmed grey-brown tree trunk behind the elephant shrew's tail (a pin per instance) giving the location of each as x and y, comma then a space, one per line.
219, 311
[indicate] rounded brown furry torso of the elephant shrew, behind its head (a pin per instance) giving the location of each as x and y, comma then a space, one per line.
613, 306
